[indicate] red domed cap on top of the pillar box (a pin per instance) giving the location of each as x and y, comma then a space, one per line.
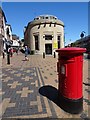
71, 50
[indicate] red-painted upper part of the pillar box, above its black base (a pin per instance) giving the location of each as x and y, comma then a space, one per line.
70, 72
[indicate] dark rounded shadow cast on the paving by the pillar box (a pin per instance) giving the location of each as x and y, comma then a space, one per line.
50, 92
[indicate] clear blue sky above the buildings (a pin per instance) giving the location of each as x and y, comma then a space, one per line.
73, 14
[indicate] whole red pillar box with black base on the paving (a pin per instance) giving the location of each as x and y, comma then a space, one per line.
70, 68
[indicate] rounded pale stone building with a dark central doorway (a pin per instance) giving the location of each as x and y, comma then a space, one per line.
44, 34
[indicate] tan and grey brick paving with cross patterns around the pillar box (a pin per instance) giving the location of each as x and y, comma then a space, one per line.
29, 88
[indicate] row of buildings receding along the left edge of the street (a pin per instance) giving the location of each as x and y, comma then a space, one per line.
7, 39
